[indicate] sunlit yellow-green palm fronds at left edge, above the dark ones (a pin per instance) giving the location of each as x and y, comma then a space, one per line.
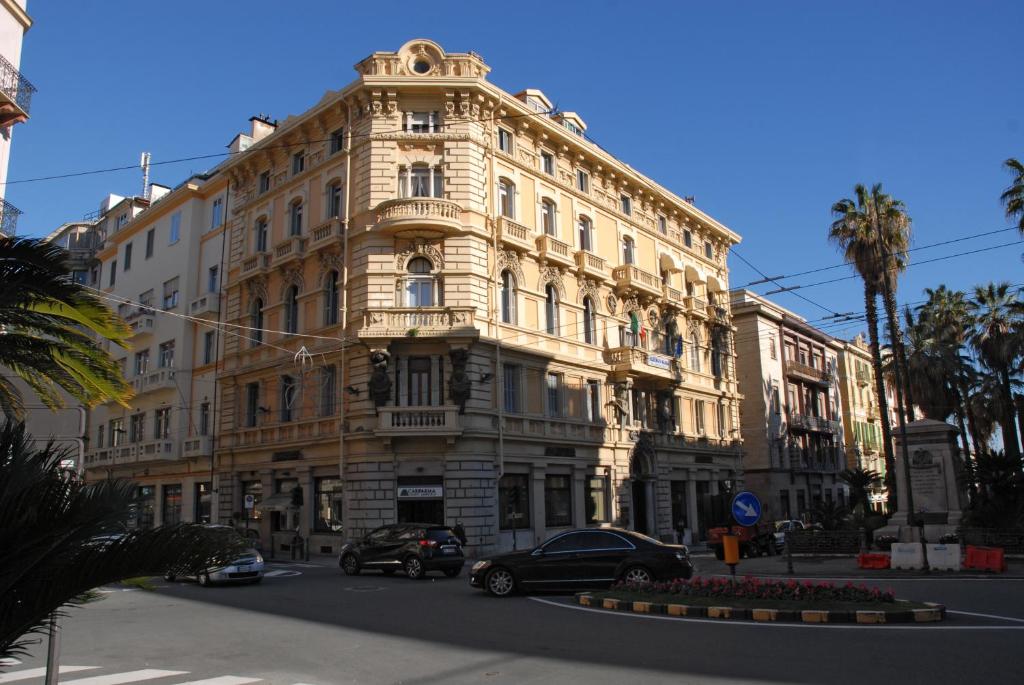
48, 324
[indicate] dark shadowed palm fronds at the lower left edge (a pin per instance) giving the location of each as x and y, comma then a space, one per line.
62, 538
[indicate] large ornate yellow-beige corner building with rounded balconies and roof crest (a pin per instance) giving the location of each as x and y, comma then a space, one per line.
462, 311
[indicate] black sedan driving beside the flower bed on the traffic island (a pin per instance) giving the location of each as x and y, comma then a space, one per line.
581, 560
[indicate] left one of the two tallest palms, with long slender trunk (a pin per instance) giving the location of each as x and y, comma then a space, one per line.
855, 233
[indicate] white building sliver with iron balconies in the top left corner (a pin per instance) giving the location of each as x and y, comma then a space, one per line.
16, 97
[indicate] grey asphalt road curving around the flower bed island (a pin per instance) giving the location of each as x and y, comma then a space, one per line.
313, 625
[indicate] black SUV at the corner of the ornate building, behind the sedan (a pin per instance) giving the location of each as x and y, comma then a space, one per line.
416, 548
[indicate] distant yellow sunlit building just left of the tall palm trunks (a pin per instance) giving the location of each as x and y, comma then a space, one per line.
862, 423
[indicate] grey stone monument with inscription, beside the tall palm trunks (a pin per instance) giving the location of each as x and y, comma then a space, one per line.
940, 497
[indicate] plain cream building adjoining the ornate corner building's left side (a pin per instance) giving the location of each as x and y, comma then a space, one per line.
158, 263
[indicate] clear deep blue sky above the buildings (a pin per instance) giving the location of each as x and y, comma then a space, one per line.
767, 113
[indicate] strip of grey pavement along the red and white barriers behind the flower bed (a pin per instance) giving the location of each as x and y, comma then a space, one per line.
829, 568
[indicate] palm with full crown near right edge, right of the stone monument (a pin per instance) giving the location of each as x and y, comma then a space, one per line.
998, 341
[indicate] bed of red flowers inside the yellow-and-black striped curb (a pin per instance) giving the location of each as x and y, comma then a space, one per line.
750, 588
